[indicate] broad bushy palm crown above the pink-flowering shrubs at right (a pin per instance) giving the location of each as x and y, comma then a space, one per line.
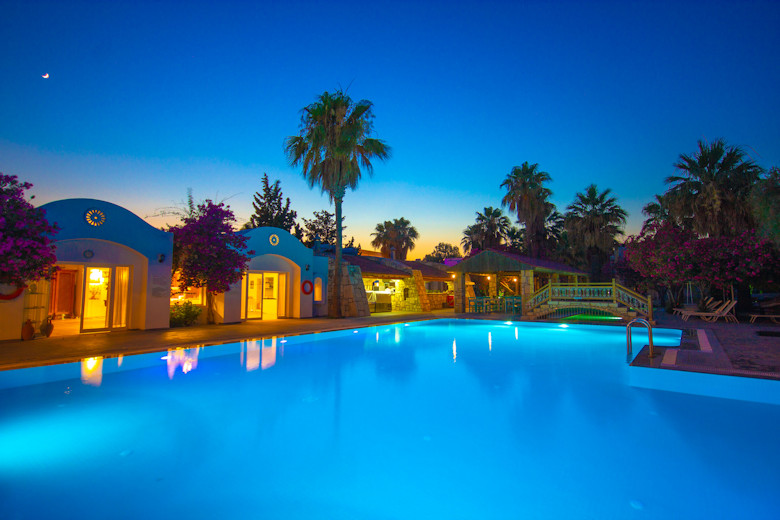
713, 188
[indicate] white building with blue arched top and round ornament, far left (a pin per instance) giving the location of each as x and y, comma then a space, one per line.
114, 272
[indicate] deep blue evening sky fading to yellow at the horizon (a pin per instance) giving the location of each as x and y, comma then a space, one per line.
144, 100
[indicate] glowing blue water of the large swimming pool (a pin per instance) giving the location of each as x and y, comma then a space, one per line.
441, 419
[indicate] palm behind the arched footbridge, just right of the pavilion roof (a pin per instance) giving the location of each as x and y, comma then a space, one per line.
593, 221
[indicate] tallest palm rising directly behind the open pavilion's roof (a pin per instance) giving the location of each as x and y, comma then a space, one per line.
527, 195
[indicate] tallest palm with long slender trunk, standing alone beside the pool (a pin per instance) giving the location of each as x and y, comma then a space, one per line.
333, 145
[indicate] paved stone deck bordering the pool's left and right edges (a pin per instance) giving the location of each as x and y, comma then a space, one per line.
743, 349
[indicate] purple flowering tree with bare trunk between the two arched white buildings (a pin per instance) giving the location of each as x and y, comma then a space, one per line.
207, 252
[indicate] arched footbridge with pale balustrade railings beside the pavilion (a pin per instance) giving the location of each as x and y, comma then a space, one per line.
570, 294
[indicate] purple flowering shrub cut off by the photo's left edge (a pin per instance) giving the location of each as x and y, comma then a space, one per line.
26, 237
